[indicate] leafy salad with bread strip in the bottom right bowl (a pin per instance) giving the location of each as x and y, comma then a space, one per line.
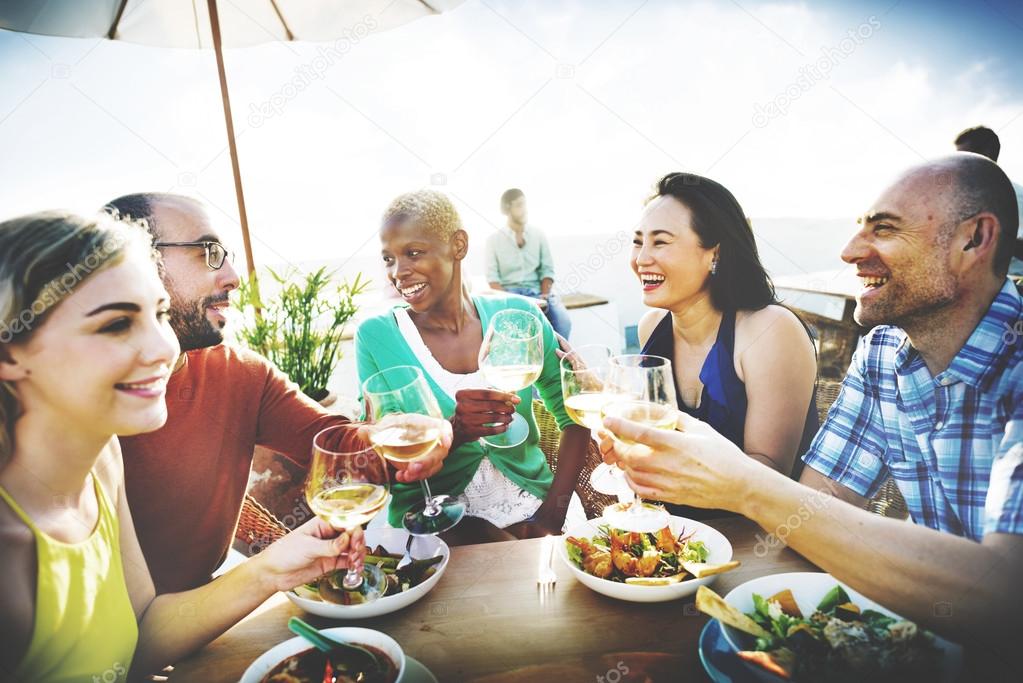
839, 643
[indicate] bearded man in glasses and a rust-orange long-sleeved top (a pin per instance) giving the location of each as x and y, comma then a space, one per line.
187, 482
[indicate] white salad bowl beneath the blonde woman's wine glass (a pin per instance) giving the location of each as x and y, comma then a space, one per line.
394, 540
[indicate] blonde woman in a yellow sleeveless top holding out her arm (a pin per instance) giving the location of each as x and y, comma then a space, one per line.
85, 353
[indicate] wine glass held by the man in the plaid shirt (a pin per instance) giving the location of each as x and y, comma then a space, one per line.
644, 391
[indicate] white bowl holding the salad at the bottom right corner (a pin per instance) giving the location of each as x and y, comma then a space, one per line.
809, 588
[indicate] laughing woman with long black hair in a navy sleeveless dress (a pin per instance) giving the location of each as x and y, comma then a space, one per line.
743, 363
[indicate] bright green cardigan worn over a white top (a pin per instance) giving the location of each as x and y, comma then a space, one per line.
380, 345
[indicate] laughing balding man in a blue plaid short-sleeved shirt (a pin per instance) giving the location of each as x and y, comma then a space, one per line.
933, 398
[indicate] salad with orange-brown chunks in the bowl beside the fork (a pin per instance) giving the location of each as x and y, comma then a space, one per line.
641, 559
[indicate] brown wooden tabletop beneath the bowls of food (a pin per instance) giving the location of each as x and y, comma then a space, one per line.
485, 617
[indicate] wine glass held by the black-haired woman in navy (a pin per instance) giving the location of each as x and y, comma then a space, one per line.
585, 387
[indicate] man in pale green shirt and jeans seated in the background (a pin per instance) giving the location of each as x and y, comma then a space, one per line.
519, 261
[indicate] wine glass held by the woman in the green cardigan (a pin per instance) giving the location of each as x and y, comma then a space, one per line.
511, 359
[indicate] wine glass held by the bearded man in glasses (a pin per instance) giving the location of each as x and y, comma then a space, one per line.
408, 426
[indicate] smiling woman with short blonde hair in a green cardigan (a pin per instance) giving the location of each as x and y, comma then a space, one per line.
509, 493
